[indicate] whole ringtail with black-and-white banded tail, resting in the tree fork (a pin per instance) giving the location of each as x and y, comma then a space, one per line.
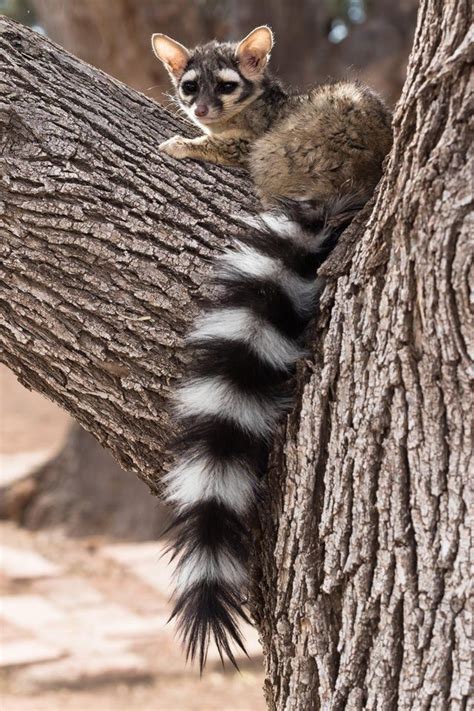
312, 157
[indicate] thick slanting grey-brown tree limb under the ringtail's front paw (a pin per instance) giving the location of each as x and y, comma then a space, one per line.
105, 244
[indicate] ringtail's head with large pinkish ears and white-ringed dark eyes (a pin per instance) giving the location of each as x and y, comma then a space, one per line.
215, 81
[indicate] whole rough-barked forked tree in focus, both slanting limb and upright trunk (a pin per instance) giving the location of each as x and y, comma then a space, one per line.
361, 597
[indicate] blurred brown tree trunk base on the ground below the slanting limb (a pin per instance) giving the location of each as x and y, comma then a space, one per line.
84, 490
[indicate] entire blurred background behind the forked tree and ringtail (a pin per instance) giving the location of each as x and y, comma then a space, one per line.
85, 586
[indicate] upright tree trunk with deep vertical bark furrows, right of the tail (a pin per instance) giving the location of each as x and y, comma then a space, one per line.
362, 601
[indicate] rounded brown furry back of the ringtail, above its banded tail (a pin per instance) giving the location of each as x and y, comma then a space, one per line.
329, 142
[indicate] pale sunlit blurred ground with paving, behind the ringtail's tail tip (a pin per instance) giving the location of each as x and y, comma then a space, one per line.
82, 627
